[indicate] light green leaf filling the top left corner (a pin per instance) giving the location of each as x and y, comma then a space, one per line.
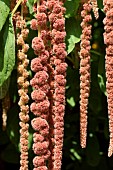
4, 11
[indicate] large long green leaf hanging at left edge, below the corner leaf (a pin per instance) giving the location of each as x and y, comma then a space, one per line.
7, 51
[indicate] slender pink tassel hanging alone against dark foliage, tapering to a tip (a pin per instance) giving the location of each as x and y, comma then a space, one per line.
85, 70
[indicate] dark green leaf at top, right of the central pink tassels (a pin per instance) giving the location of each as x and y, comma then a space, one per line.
71, 8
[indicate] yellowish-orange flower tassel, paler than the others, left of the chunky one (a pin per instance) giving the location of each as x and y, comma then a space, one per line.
23, 89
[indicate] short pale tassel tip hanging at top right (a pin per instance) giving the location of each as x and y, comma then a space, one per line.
95, 8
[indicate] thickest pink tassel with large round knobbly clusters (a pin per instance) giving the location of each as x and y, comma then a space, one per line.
40, 84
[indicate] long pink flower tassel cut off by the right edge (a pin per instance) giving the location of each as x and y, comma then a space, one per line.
108, 40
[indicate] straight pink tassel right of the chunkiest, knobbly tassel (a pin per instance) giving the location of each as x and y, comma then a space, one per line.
57, 21
